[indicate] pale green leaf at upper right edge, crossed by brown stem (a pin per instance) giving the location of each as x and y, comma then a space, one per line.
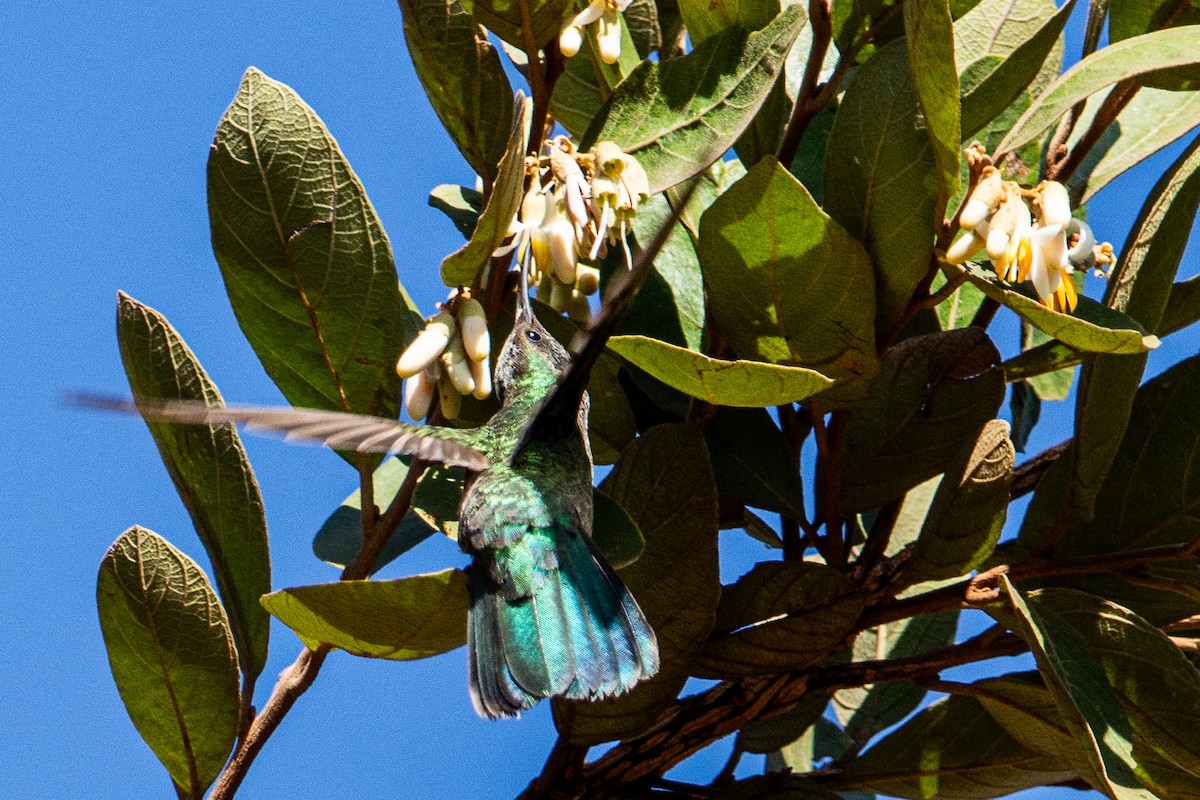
1154, 119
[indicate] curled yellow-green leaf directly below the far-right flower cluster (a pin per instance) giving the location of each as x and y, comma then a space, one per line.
1093, 328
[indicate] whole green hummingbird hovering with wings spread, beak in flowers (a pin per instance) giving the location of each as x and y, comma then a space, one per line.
549, 615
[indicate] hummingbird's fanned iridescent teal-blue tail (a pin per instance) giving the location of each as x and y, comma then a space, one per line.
550, 617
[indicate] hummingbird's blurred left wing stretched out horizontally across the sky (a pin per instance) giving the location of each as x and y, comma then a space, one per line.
335, 430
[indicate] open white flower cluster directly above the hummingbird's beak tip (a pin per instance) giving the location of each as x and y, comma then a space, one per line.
579, 204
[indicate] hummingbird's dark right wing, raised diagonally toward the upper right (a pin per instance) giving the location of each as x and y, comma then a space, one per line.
560, 413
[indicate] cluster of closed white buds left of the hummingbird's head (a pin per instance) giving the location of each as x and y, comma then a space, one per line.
449, 357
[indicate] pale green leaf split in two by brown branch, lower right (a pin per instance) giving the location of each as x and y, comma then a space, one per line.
866, 711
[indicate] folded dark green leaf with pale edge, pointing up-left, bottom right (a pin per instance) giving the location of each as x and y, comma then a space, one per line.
1081, 690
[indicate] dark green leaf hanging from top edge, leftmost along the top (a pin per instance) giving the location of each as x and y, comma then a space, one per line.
463, 77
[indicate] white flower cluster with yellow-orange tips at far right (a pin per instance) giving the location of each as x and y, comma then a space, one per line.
1029, 236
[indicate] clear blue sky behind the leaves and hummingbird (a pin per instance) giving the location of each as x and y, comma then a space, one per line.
109, 113
